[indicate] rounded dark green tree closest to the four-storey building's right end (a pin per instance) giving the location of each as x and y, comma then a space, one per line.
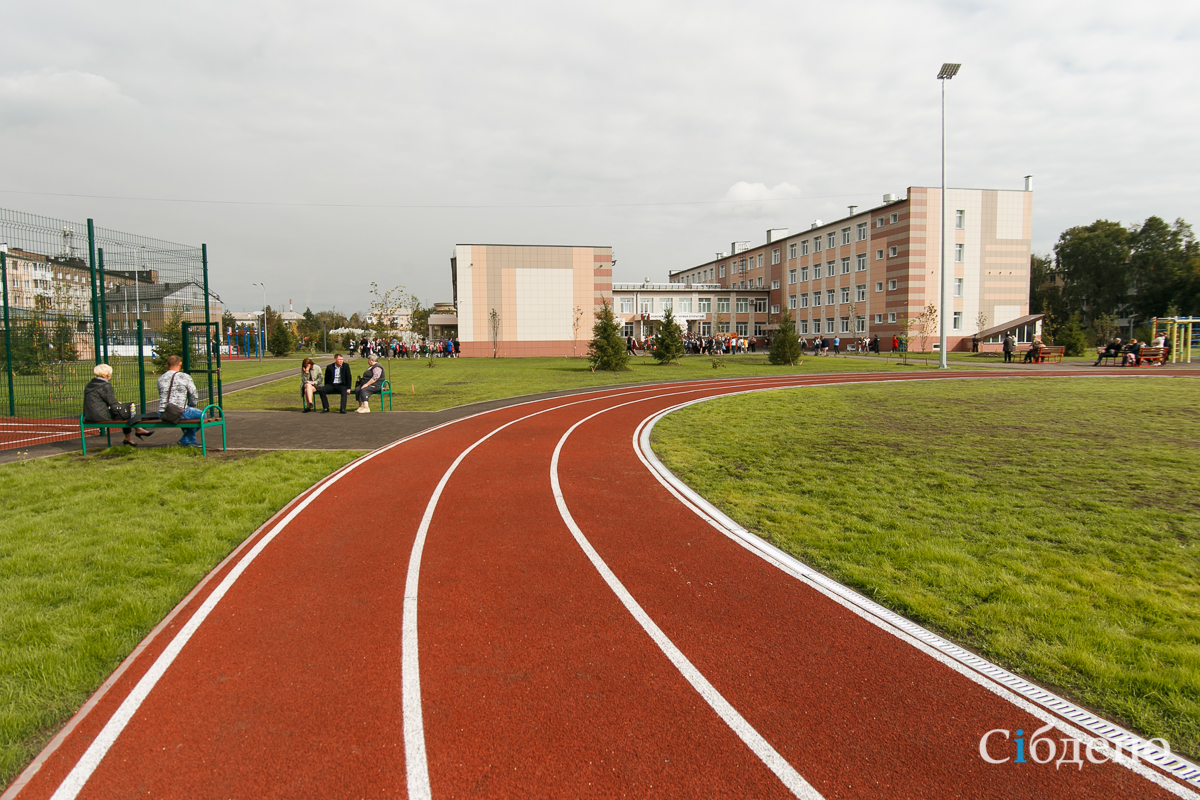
1094, 262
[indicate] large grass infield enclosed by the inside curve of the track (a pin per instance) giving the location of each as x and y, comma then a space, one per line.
1051, 525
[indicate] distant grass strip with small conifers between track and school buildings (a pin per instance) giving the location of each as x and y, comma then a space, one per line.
457, 382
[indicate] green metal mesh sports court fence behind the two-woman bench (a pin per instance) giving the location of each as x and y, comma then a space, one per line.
76, 296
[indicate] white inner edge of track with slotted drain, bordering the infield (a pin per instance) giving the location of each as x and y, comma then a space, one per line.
1013, 689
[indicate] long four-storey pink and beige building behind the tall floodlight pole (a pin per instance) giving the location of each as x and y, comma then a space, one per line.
866, 274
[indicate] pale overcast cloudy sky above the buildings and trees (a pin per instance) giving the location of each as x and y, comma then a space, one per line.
320, 147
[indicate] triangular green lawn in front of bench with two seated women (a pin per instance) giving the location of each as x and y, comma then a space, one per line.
91, 562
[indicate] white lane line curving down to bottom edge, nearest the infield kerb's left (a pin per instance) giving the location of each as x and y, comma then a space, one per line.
745, 731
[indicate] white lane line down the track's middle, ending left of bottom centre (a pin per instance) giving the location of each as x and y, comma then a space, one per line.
417, 767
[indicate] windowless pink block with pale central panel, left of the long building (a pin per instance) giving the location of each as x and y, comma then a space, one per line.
532, 300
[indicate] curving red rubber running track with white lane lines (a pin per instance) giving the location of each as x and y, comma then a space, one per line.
517, 605
